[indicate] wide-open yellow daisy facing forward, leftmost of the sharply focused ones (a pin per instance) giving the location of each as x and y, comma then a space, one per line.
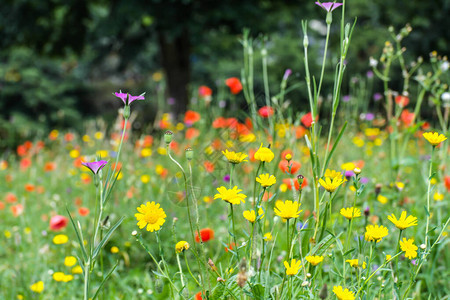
150, 215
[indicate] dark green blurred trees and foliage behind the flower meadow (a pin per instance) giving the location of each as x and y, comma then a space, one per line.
61, 59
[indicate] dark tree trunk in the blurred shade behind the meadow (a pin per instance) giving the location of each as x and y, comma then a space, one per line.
175, 52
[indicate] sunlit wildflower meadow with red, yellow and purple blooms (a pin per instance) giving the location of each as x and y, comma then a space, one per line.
242, 194
